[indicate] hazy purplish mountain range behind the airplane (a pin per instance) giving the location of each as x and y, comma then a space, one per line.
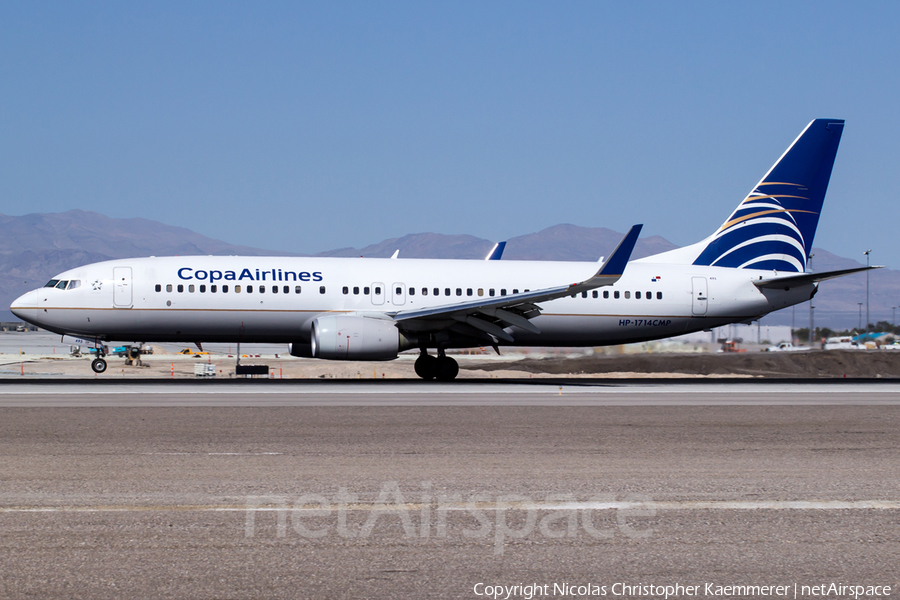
35, 247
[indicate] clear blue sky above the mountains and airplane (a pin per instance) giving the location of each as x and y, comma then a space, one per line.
307, 127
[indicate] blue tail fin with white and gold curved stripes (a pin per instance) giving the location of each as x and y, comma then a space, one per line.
773, 228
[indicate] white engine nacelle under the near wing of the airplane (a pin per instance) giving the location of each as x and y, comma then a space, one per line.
354, 338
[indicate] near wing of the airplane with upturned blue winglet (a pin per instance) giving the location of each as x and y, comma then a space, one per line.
487, 317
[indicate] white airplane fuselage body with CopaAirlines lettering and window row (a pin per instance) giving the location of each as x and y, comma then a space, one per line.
172, 298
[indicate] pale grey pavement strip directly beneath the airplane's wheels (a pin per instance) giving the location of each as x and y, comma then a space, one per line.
562, 392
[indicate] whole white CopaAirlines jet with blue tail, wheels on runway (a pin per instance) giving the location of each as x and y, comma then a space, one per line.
372, 309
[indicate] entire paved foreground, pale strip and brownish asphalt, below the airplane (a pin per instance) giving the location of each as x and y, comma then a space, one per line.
410, 490
